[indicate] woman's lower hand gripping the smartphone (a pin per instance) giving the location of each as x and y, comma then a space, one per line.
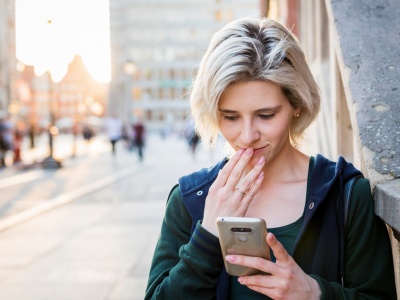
286, 280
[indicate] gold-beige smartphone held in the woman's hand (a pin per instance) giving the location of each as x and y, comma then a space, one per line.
244, 236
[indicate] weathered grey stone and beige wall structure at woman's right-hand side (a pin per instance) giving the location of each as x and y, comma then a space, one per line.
353, 49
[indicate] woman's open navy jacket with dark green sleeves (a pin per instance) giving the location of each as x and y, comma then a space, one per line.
188, 262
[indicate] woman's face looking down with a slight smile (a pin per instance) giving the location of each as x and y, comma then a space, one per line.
256, 114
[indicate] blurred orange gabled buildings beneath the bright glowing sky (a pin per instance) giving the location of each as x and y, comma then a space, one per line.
77, 98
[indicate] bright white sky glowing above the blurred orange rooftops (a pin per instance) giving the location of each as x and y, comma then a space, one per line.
49, 33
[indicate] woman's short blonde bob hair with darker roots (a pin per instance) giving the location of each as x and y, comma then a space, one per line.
251, 49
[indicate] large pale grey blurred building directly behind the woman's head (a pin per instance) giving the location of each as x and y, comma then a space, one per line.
156, 47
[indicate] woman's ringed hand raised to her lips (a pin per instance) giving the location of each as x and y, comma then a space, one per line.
228, 196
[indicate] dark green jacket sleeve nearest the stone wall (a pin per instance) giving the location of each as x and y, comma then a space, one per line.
369, 272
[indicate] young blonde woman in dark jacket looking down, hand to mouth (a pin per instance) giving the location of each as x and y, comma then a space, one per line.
255, 88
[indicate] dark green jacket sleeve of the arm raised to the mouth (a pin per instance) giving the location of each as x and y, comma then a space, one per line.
184, 266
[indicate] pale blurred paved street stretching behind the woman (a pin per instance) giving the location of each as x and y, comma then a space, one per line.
88, 230
